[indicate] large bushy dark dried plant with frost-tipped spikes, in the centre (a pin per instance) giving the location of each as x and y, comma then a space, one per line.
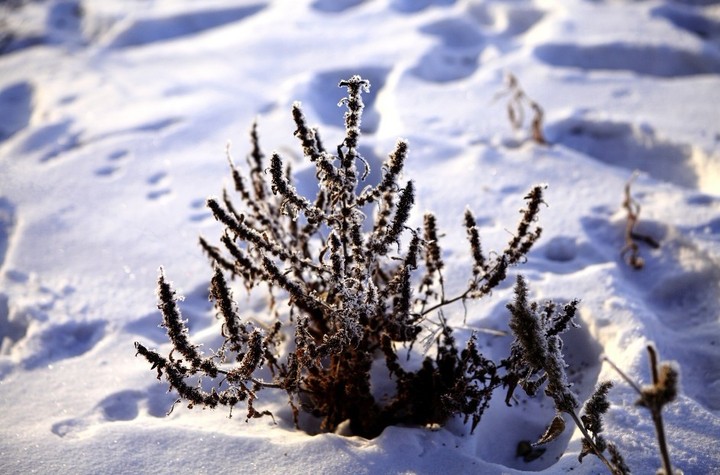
361, 288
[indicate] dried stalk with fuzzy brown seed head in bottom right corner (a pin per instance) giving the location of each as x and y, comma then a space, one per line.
662, 391
